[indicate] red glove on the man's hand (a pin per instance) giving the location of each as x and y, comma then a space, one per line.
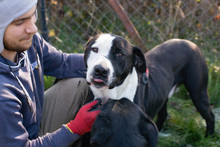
84, 119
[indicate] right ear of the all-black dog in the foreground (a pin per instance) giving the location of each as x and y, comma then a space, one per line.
149, 130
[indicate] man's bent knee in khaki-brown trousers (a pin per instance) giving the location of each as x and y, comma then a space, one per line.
62, 101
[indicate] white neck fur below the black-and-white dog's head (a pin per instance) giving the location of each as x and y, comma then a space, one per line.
126, 89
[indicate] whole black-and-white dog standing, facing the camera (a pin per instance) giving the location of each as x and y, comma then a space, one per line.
115, 68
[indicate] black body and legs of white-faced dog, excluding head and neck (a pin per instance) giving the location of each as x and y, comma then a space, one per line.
172, 63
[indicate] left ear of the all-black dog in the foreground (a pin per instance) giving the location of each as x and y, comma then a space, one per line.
101, 131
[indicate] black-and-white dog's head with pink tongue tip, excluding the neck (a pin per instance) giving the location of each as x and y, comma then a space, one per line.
109, 59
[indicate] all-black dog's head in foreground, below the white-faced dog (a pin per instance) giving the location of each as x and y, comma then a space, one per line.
123, 123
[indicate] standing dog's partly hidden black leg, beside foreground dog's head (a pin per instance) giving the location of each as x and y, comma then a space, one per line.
162, 116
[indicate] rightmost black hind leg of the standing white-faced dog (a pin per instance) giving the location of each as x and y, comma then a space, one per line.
196, 84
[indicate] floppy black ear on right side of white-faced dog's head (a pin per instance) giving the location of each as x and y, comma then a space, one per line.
139, 60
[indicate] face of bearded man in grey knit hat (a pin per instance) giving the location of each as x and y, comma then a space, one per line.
19, 33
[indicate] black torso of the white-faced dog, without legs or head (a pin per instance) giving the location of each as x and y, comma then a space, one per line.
173, 62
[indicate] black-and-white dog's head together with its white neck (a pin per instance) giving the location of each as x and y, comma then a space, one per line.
113, 65
